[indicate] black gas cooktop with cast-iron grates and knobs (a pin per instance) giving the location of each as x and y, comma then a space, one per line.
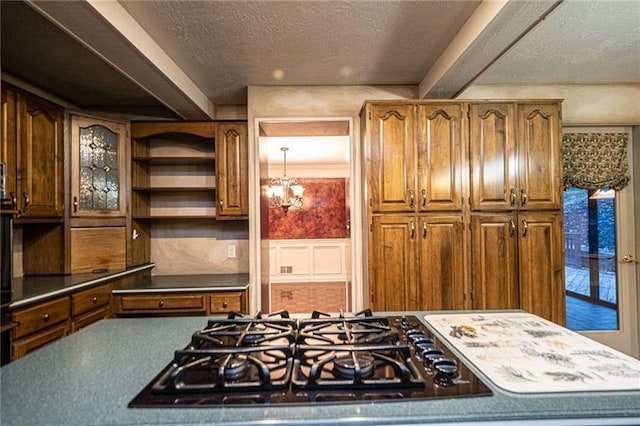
321, 359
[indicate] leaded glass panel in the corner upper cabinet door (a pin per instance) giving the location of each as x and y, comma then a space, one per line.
99, 186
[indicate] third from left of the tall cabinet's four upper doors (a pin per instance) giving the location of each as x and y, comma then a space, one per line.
492, 153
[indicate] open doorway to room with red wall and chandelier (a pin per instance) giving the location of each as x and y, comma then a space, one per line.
306, 250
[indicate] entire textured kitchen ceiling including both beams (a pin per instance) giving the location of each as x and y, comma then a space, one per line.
171, 59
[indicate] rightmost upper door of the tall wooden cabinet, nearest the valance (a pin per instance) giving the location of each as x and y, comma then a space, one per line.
539, 156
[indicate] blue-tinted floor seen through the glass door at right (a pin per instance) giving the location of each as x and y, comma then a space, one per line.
583, 315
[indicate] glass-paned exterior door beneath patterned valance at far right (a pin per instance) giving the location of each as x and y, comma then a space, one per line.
600, 272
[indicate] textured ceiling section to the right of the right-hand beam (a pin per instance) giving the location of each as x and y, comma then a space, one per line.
581, 42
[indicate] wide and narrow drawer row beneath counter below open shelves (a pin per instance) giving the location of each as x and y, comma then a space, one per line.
194, 303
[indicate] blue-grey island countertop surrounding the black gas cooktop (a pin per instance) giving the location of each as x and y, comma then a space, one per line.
89, 378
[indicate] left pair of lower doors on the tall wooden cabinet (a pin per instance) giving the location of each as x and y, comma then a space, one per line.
416, 262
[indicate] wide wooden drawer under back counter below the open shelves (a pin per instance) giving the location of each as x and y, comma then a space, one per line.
161, 303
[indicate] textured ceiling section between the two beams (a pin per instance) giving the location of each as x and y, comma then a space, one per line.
225, 46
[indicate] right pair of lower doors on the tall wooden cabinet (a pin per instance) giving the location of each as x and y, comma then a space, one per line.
517, 263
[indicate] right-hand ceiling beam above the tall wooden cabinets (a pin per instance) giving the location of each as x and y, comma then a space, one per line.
489, 33
